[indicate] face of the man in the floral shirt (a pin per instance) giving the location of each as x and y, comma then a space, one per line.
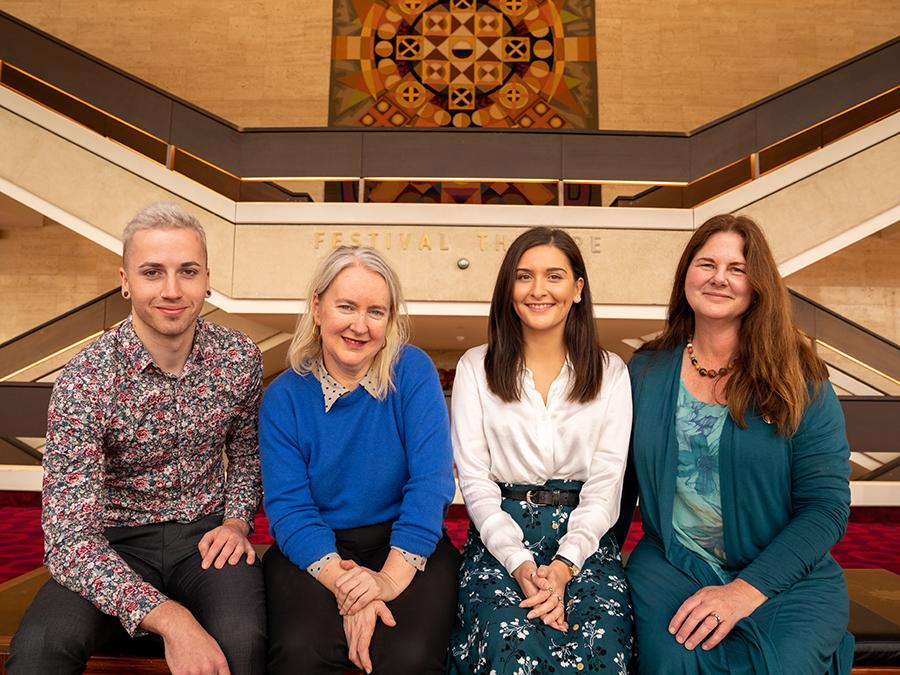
167, 277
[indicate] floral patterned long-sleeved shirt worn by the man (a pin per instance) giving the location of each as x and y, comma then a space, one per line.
128, 444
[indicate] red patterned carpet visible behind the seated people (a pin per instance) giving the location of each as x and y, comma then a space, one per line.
872, 539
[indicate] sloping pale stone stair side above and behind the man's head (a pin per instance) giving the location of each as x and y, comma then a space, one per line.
95, 190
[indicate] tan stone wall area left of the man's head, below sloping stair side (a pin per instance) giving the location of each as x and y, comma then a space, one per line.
46, 271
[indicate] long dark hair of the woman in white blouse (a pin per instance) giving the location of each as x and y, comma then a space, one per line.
505, 359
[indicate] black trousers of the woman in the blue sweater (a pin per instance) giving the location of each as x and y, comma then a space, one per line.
306, 632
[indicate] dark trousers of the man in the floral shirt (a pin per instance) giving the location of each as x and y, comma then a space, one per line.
61, 630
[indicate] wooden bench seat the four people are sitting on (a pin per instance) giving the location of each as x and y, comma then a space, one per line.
874, 620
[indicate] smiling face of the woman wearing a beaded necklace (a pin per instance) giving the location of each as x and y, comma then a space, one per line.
716, 285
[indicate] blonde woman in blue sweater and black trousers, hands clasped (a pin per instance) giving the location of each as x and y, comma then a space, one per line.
357, 472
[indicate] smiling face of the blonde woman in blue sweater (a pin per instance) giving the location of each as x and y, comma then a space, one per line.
352, 315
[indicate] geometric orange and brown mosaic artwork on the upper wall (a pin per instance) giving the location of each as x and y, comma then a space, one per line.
464, 63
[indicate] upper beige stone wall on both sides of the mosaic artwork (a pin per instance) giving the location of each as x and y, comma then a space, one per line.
670, 65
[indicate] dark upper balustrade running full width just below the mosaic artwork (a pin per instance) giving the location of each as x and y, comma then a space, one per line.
238, 162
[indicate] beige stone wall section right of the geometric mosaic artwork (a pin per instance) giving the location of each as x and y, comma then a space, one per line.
679, 64
